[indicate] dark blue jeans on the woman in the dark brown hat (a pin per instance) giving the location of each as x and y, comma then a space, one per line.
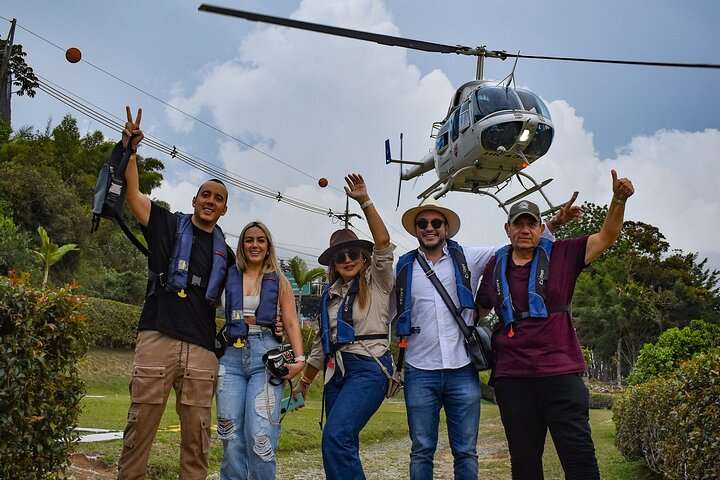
350, 401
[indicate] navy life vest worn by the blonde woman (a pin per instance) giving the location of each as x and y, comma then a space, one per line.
267, 310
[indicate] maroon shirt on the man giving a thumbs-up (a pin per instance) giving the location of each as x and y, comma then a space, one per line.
540, 347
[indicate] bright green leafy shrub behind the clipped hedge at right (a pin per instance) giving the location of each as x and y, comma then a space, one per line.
673, 346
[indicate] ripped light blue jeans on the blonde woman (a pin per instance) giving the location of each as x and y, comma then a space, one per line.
248, 410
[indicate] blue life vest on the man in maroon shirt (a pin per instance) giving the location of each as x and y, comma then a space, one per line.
539, 275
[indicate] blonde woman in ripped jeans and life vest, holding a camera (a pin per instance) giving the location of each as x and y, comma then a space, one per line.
248, 396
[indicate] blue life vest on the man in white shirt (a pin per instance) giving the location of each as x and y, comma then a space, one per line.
403, 285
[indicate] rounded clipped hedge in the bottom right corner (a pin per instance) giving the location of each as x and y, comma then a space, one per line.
673, 422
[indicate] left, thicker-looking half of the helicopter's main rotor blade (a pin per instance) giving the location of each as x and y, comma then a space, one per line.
342, 32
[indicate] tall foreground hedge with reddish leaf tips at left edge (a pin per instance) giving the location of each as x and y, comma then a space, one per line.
44, 334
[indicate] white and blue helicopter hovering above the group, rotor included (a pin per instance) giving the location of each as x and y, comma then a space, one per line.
492, 131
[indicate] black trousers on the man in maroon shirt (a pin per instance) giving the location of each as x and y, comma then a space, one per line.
531, 406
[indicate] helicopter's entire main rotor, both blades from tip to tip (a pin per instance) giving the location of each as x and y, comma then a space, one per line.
426, 46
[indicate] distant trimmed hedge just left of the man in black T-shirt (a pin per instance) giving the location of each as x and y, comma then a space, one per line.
112, 324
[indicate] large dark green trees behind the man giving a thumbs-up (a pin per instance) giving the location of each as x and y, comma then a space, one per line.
635, 291
